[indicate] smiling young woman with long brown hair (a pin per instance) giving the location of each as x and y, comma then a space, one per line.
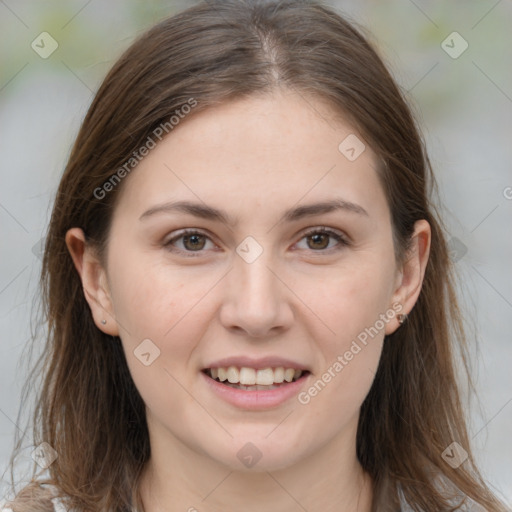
250, 299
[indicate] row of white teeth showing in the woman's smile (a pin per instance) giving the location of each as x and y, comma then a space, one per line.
244, 376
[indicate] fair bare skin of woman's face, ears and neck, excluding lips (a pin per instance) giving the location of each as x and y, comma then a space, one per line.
253, 158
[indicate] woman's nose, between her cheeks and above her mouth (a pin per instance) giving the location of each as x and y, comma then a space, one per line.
257, 300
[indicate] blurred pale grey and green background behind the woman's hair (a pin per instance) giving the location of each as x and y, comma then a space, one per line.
453, 61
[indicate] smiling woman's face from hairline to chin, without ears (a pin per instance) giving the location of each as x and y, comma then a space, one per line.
287, 262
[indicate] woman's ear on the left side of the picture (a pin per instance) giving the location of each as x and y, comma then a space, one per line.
94, 281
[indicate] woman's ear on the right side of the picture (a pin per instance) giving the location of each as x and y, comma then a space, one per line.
410, 277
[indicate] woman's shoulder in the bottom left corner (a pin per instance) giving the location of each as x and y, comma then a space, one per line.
36, 497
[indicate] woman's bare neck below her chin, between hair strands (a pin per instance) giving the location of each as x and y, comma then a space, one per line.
329, 480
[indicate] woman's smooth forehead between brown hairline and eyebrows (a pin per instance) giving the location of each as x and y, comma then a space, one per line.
257, 152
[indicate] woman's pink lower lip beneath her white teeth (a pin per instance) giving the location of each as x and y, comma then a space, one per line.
255, 400
